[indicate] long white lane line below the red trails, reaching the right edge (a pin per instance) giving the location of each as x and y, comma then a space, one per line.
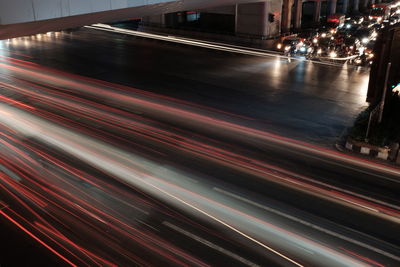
311, 225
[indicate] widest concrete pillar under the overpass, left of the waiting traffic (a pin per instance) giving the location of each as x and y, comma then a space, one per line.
253, 18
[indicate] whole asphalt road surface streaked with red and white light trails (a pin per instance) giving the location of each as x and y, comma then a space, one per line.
106, 174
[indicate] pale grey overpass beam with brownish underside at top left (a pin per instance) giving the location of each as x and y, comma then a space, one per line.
23, 17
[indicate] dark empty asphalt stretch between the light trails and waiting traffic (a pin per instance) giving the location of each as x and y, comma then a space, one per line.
311, 102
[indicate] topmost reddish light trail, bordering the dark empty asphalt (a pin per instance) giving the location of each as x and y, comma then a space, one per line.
198, 121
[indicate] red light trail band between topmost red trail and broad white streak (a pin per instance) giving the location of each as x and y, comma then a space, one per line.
203, 150
